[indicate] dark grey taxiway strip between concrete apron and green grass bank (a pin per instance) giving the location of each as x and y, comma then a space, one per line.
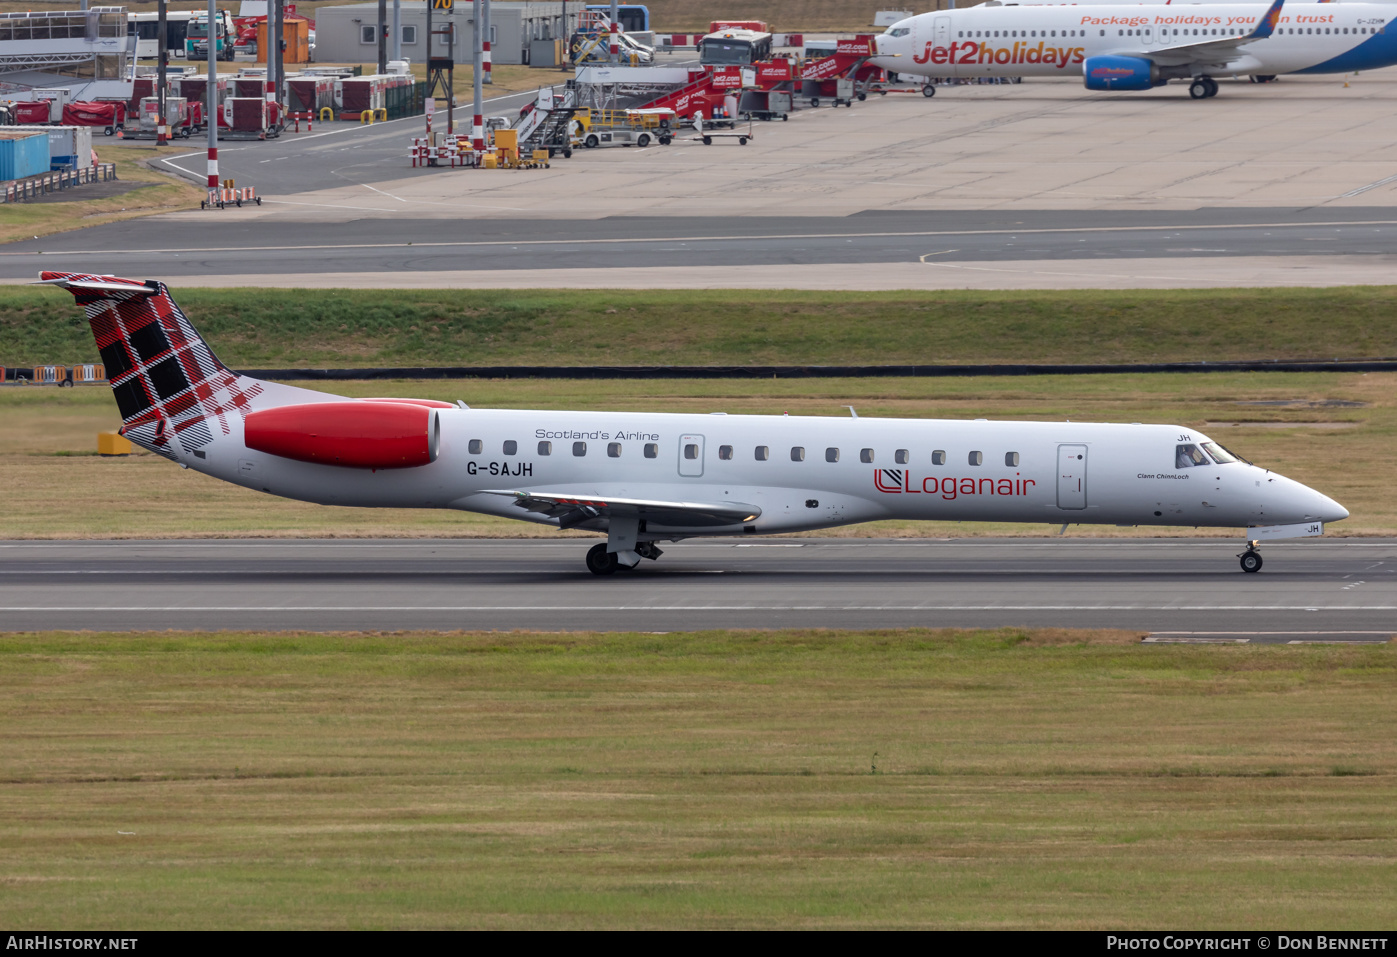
177, 249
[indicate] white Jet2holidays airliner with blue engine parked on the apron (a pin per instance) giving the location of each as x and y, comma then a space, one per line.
1132, 48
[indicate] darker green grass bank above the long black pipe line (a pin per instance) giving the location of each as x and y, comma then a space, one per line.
444, 328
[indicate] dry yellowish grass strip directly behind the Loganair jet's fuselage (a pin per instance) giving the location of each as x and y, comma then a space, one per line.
1335, 432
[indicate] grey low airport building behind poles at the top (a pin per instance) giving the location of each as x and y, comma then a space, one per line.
349, 34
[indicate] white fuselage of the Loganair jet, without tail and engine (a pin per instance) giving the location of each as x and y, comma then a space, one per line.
807, 473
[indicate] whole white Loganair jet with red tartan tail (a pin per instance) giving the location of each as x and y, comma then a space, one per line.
646, 478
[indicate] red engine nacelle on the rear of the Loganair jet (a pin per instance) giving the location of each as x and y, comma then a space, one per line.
354, 435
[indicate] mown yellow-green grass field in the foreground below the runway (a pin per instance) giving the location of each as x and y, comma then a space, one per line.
797, 779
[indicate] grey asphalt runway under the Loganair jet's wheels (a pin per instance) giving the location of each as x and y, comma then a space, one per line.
1339, 590
